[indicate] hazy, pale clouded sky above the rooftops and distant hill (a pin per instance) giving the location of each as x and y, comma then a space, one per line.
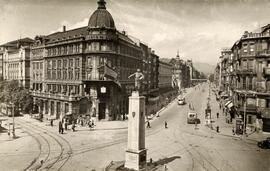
199, 29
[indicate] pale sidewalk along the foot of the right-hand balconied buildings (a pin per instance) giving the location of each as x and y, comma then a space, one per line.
225, 129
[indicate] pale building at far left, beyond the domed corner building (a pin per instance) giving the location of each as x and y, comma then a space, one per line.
16, 61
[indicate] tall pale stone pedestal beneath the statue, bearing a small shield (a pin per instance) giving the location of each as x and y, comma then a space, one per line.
136, 152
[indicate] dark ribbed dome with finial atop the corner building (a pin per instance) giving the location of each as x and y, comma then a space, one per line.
101, 18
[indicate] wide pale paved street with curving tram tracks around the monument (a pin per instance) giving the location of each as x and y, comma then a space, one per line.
180, 146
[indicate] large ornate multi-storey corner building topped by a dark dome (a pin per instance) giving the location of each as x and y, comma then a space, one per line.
84, 71
